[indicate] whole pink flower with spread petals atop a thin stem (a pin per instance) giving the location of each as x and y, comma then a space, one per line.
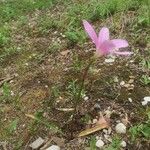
104, 45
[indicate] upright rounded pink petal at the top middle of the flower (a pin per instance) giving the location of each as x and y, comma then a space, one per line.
103, 35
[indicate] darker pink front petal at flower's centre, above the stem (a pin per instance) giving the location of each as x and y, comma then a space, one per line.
106, 48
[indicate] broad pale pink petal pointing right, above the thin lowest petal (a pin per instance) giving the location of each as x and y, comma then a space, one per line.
119, 43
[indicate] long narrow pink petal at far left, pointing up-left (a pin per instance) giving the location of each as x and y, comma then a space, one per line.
91, 32
